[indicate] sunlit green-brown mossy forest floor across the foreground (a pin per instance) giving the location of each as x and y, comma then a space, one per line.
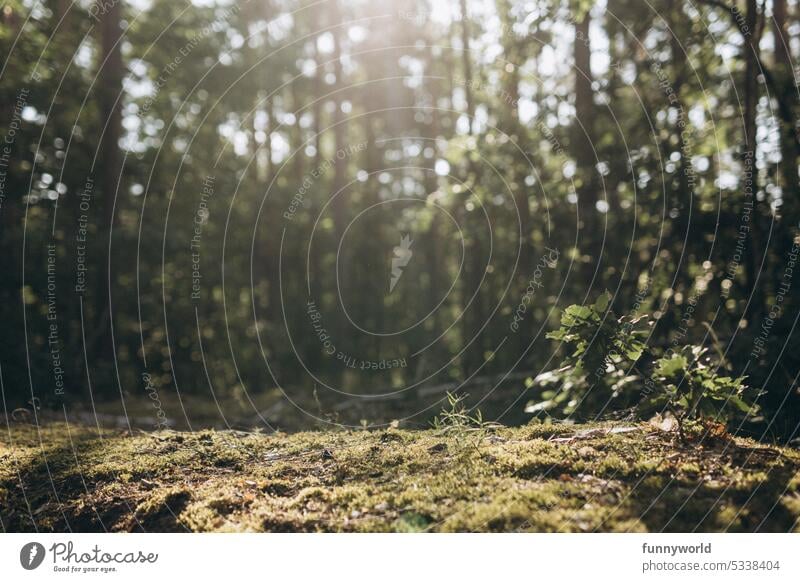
543, 478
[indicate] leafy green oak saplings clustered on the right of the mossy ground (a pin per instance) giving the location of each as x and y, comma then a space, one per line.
611, 368
